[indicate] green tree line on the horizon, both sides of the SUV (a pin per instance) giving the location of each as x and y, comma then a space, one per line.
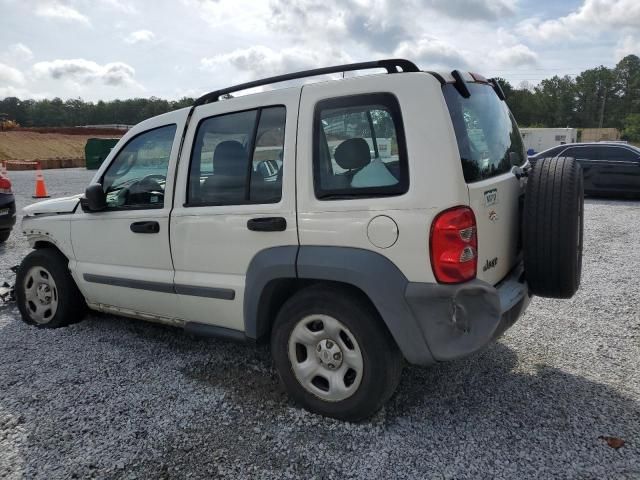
598, 97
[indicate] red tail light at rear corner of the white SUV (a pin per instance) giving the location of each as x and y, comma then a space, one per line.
453, 245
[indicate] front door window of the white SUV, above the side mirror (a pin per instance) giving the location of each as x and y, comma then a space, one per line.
137, 176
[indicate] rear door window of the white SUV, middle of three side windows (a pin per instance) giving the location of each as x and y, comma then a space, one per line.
237, 159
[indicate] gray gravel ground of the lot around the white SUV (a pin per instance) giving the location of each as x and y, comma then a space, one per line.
117, 398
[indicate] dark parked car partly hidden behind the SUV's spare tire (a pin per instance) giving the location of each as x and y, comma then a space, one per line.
609, 168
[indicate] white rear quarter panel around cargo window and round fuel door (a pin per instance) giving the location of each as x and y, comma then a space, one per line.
435, 174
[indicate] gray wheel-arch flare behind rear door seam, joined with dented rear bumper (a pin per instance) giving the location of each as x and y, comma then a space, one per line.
429, 322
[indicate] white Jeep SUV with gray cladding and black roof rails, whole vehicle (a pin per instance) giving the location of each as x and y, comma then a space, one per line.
355, 223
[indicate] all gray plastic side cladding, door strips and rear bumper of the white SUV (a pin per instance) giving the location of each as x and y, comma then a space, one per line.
429, 322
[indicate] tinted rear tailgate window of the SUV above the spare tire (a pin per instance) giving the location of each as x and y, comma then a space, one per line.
488, 138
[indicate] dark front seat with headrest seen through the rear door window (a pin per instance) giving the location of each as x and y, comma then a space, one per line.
230, 170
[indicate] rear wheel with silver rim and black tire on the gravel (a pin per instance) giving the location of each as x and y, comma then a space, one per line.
351, 328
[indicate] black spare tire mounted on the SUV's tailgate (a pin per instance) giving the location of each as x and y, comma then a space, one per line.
553, 227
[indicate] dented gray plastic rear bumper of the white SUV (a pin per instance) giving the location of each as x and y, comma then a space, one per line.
458, 320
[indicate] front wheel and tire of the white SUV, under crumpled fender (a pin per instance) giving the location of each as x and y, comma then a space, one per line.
46, 294
